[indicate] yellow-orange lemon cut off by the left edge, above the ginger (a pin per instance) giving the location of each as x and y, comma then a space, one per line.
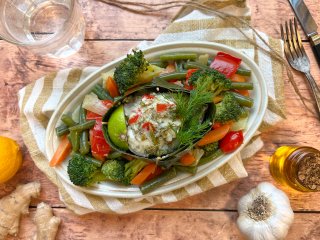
10, 158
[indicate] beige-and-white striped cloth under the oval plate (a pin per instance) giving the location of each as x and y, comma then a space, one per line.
39, 99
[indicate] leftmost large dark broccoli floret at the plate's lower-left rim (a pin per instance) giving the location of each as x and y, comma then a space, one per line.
84, 171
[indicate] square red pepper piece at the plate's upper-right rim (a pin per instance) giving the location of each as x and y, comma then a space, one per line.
225, 64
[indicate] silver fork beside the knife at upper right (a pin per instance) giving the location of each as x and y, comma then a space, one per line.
297, 56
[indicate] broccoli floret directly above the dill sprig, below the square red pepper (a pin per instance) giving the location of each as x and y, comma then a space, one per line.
219, 82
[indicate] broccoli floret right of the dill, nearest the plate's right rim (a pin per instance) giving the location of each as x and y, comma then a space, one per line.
229, 109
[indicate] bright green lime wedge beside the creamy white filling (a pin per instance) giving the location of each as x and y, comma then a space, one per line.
117, 128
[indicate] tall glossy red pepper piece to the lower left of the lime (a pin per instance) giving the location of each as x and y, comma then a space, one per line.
99, 147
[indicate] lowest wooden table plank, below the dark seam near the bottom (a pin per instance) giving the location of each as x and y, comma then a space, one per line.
161, 225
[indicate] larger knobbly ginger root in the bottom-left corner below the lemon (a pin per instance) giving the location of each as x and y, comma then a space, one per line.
15, 204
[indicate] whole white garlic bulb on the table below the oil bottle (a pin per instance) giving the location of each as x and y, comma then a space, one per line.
265, 213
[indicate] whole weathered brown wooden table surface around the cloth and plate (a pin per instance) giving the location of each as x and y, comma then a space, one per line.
212, 215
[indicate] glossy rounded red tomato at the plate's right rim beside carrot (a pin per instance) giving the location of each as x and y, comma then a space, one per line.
231, 141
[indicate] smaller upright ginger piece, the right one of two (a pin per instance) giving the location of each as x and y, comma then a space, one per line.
47, 224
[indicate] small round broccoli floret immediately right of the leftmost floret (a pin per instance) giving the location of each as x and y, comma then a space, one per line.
114, 170
